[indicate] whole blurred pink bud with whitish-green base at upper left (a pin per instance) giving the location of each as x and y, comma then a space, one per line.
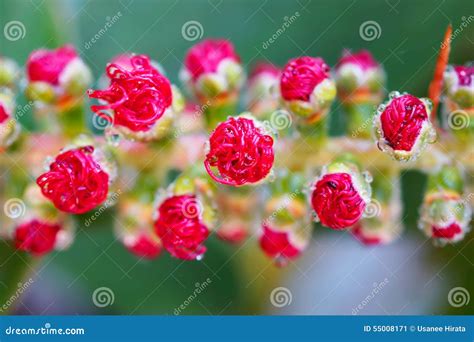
56, 74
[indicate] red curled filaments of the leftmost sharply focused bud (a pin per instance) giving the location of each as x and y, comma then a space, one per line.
76, 182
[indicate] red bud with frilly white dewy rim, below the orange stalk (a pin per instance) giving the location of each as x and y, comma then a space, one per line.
403, 127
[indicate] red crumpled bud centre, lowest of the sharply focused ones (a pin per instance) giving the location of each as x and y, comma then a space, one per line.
179, 226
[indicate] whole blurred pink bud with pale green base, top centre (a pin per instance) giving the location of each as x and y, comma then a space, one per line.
212, 70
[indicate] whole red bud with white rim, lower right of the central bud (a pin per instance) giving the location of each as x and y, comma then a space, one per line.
340, 195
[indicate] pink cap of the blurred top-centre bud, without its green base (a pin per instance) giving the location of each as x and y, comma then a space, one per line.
206, 56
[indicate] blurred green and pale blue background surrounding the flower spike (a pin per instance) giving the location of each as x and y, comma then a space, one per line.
336, 274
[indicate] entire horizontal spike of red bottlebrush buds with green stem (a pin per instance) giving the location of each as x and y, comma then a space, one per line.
185, 176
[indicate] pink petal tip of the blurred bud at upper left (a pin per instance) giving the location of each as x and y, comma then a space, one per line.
47, 65
